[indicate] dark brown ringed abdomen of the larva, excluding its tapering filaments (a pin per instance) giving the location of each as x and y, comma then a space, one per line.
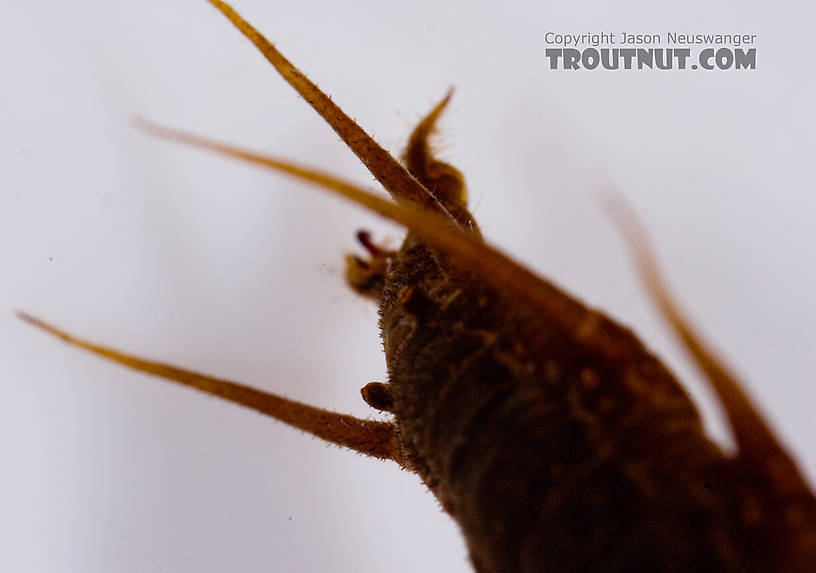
549, 458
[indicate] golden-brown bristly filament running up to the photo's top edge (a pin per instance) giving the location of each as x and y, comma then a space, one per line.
387, 170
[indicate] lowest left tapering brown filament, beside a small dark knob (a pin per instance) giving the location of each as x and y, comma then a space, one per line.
369, 437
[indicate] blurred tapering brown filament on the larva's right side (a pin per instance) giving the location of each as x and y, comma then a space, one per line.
754, 438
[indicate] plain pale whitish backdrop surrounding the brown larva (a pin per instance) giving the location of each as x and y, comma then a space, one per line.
206, 263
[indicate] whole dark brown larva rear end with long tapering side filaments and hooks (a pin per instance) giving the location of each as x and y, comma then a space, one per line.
546, 430
